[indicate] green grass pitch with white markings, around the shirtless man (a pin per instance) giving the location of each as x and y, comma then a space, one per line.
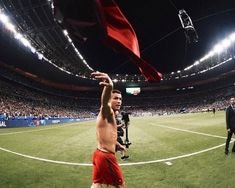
189, 139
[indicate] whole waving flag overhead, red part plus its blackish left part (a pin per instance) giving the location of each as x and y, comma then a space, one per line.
109, 24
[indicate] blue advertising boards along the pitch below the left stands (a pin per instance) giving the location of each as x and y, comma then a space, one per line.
32, 122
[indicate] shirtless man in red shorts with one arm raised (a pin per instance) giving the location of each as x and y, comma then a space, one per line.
105, 166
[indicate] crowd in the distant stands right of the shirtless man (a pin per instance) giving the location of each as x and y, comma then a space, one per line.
203, 101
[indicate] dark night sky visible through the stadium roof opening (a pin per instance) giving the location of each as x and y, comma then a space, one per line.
161, 39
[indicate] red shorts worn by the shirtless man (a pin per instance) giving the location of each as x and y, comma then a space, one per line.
106, 169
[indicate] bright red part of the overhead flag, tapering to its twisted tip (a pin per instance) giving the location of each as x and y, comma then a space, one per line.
121, 35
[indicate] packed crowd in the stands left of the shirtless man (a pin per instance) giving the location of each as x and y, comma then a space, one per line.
20, 101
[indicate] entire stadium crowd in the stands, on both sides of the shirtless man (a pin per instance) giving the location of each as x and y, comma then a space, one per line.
19, 101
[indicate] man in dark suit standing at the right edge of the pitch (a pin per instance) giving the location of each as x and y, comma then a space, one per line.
230, 124
